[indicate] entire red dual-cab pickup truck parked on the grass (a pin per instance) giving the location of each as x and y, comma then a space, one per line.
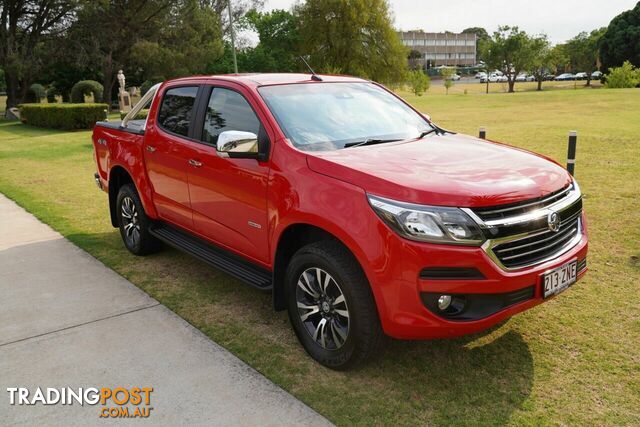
361, 216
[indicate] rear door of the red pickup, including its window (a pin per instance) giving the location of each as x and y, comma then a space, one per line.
167, 153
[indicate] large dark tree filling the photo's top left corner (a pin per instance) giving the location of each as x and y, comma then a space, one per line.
25, 28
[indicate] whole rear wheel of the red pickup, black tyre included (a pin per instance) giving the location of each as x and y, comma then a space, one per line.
134, 223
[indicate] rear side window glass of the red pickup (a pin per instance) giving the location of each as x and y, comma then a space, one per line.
176, 110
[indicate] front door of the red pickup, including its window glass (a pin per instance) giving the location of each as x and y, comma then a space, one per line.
229, 196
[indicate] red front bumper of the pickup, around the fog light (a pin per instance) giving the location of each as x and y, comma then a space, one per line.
403, 295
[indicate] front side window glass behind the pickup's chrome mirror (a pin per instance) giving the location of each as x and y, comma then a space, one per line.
228, 111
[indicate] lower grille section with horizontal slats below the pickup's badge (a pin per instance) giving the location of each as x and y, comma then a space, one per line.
535, 248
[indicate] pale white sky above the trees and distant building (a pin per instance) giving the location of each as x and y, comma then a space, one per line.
560, 20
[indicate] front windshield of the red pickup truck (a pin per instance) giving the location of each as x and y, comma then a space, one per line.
331, 116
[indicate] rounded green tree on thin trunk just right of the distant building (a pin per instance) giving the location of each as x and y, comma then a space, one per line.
511, 51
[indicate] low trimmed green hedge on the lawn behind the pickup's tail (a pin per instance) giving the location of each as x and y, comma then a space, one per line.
63, 116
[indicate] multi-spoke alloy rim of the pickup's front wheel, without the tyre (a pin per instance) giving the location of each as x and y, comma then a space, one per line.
322, 308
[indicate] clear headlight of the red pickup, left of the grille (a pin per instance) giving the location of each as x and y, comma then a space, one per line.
433, 224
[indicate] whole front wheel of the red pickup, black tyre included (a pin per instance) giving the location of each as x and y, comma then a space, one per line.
331, 307
